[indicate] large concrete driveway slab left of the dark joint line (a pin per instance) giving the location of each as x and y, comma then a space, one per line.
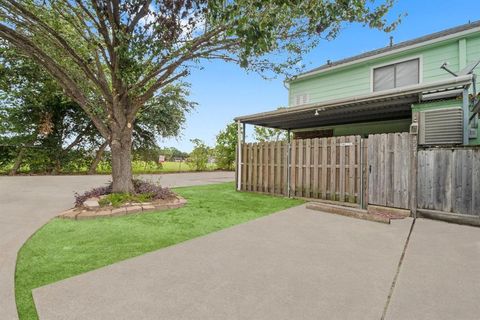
296, 264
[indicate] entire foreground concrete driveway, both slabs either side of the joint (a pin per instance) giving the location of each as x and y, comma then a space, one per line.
296, 264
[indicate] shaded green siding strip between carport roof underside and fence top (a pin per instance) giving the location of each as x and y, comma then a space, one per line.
366, 128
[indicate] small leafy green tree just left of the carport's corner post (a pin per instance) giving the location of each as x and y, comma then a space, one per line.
225, 148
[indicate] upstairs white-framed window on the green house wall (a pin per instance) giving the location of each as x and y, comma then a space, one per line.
396, 75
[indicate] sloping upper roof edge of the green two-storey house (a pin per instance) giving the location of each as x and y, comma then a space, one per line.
388, 52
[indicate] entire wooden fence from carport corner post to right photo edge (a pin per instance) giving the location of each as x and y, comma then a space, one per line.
380, 169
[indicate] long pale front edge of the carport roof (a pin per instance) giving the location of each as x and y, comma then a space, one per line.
454, 81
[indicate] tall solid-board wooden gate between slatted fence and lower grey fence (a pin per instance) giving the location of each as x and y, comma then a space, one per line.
389, 170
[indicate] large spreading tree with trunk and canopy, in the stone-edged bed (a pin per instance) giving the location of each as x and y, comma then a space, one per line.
113, 56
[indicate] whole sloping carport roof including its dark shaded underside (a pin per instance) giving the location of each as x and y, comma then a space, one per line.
384, 105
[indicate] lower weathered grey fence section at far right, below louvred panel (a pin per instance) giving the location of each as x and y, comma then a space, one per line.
449, 180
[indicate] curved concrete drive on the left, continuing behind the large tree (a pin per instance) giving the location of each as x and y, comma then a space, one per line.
28, 202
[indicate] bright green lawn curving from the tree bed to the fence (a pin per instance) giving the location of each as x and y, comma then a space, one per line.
65, 248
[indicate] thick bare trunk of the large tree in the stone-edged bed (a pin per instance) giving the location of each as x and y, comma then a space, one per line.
121, 148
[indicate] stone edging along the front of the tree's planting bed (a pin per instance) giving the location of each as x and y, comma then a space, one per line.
132, 208
